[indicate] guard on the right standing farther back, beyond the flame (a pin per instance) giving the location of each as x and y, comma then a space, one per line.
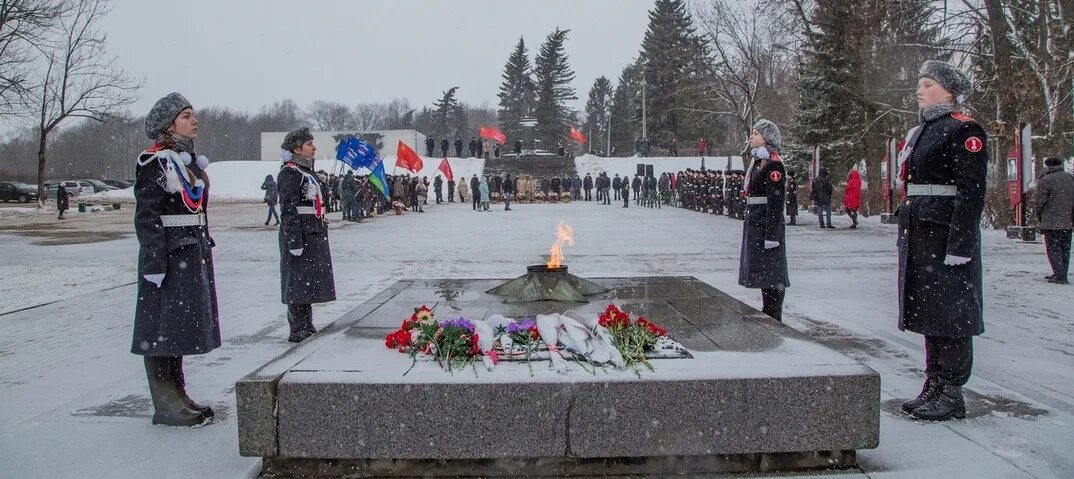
764, 262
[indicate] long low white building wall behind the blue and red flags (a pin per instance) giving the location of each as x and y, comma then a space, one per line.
385, 141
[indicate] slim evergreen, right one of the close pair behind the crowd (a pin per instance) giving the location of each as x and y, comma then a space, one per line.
553, 78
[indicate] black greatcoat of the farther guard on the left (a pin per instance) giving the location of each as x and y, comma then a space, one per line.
307, 279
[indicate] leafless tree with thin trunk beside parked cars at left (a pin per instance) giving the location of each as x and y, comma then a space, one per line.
78, 78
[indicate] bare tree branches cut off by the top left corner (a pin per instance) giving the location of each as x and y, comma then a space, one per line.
24, 25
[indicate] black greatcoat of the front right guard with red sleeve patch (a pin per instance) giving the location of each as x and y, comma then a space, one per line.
935, 299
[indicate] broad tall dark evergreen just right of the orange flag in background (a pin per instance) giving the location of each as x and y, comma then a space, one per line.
675, 60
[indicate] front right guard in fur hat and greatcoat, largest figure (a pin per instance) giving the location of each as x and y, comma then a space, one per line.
941, 296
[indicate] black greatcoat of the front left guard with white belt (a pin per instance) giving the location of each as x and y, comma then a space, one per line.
181, 317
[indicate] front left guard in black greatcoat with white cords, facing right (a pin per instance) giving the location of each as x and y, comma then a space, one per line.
177, 312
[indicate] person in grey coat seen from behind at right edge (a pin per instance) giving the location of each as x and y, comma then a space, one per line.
1055, 211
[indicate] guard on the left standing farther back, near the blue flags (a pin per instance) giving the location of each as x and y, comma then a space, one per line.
307, 275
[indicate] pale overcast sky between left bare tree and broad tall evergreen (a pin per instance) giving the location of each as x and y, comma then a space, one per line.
245, 54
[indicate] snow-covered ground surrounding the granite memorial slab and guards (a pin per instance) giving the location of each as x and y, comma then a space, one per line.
76, 403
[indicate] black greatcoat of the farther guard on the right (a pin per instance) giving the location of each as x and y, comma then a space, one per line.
760, 268
